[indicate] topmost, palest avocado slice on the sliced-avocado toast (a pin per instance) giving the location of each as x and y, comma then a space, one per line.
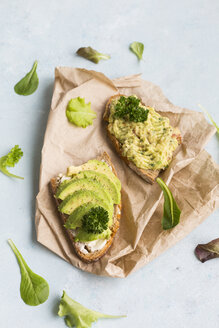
95, 165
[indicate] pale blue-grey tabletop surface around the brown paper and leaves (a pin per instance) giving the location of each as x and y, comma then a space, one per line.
181, 55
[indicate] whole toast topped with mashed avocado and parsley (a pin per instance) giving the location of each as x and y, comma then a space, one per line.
143, 138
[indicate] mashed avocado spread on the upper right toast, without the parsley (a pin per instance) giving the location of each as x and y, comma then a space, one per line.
148, 144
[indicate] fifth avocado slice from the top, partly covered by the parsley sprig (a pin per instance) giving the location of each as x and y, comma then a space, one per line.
75, 219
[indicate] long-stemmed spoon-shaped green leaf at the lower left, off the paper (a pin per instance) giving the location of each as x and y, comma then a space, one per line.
34, 290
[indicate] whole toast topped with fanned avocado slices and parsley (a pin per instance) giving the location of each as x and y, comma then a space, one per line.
88, 198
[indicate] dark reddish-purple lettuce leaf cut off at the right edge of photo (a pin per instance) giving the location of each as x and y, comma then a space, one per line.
205, 252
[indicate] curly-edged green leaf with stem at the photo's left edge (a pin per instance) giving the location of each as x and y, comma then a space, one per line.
10, 160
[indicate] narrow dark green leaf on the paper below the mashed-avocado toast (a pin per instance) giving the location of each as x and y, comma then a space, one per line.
171, 211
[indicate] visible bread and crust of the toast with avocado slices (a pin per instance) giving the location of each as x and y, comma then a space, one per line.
96, 255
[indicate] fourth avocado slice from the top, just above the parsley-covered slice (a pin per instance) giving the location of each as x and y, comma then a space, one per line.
80, 197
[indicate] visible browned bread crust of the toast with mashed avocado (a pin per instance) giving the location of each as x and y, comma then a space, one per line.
148, 175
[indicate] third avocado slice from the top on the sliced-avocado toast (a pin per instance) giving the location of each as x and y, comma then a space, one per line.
73, 185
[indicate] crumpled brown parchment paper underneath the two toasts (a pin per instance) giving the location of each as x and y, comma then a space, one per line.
192, 176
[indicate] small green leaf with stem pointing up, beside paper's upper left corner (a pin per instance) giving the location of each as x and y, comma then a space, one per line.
28, 84
